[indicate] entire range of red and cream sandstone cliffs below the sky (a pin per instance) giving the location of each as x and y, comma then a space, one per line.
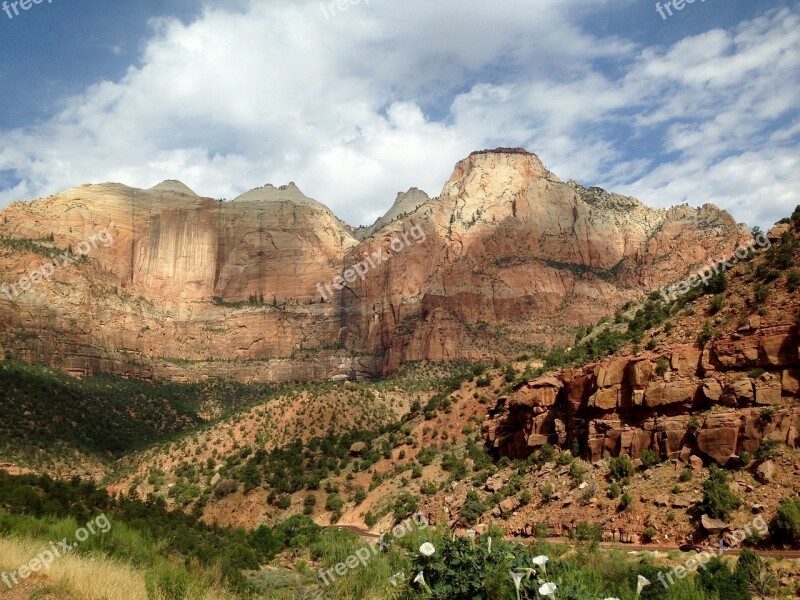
510, 256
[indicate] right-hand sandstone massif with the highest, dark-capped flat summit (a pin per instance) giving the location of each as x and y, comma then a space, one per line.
513, 257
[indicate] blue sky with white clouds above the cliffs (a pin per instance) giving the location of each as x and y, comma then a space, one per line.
357, 104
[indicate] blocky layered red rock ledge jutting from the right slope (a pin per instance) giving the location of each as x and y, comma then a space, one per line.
711, 403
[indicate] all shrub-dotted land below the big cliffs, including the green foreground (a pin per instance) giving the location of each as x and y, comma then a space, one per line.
666, 392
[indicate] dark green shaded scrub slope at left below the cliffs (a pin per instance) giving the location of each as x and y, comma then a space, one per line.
105, 416
